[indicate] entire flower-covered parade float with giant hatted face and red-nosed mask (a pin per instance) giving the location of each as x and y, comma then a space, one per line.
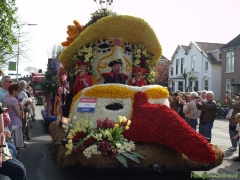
118, 124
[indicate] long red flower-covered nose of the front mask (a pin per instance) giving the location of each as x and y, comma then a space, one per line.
157, 123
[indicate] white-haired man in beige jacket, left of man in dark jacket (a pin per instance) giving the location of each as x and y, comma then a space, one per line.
191, 112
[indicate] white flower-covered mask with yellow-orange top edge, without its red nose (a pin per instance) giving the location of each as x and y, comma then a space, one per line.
121, 94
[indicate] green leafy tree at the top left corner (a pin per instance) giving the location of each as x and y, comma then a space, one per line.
8, 21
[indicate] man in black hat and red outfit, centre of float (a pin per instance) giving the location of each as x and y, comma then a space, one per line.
115, 76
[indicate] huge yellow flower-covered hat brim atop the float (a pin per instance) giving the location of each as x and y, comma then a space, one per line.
111, 26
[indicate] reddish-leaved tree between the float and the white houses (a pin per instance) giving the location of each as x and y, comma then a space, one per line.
162, 74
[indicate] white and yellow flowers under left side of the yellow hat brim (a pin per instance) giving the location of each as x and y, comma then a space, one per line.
85, 54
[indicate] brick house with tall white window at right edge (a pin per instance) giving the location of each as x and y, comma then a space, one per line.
231, 66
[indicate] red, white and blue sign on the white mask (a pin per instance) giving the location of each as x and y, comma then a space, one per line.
87, 104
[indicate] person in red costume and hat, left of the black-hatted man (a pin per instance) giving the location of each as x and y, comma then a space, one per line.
82, 80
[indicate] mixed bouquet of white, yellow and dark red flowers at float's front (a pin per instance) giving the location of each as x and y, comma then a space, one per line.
106, 139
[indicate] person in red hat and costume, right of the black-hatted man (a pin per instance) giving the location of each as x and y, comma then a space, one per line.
138, 79
